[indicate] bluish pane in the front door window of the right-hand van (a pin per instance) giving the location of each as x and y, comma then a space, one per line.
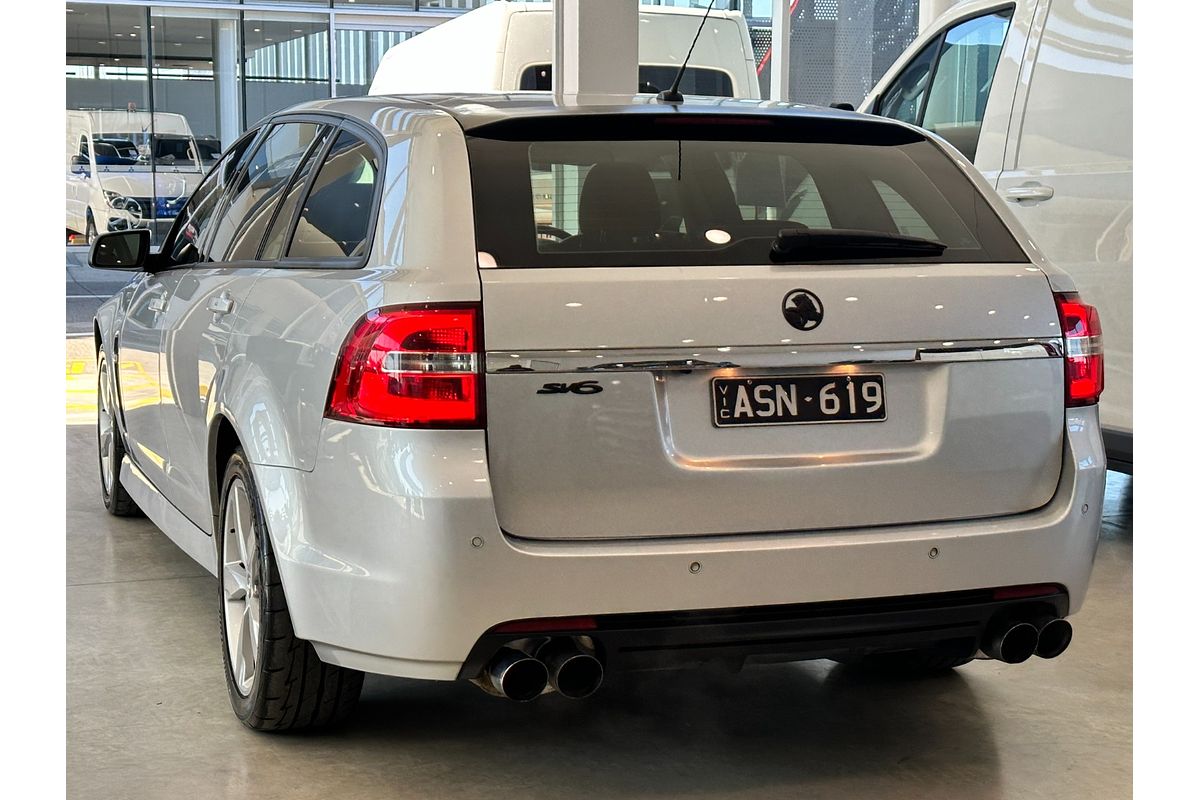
958, 95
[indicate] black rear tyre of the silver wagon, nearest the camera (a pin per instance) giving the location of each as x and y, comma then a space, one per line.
292, 689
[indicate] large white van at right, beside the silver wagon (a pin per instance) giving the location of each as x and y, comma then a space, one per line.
1040, 95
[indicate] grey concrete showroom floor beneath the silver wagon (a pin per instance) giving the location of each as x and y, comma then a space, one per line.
148, 715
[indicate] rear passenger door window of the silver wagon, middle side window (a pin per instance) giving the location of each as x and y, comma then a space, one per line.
253, 202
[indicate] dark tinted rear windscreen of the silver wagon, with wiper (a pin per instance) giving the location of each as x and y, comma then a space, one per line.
651, 191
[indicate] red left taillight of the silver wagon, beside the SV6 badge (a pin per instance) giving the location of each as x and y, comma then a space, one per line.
412, 368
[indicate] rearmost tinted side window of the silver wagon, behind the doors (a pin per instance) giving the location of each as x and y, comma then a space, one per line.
337, 215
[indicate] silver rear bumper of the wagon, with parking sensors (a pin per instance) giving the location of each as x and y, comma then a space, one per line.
393, 561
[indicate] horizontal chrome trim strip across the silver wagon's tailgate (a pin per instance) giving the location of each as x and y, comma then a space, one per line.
776, 357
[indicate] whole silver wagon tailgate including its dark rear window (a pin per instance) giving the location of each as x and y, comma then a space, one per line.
652, 370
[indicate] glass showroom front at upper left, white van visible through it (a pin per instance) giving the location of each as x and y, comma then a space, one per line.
155, 93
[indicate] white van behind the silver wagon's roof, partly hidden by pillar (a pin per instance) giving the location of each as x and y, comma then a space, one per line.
507, 47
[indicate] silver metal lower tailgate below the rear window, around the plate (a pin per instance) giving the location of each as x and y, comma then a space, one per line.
974, 424
